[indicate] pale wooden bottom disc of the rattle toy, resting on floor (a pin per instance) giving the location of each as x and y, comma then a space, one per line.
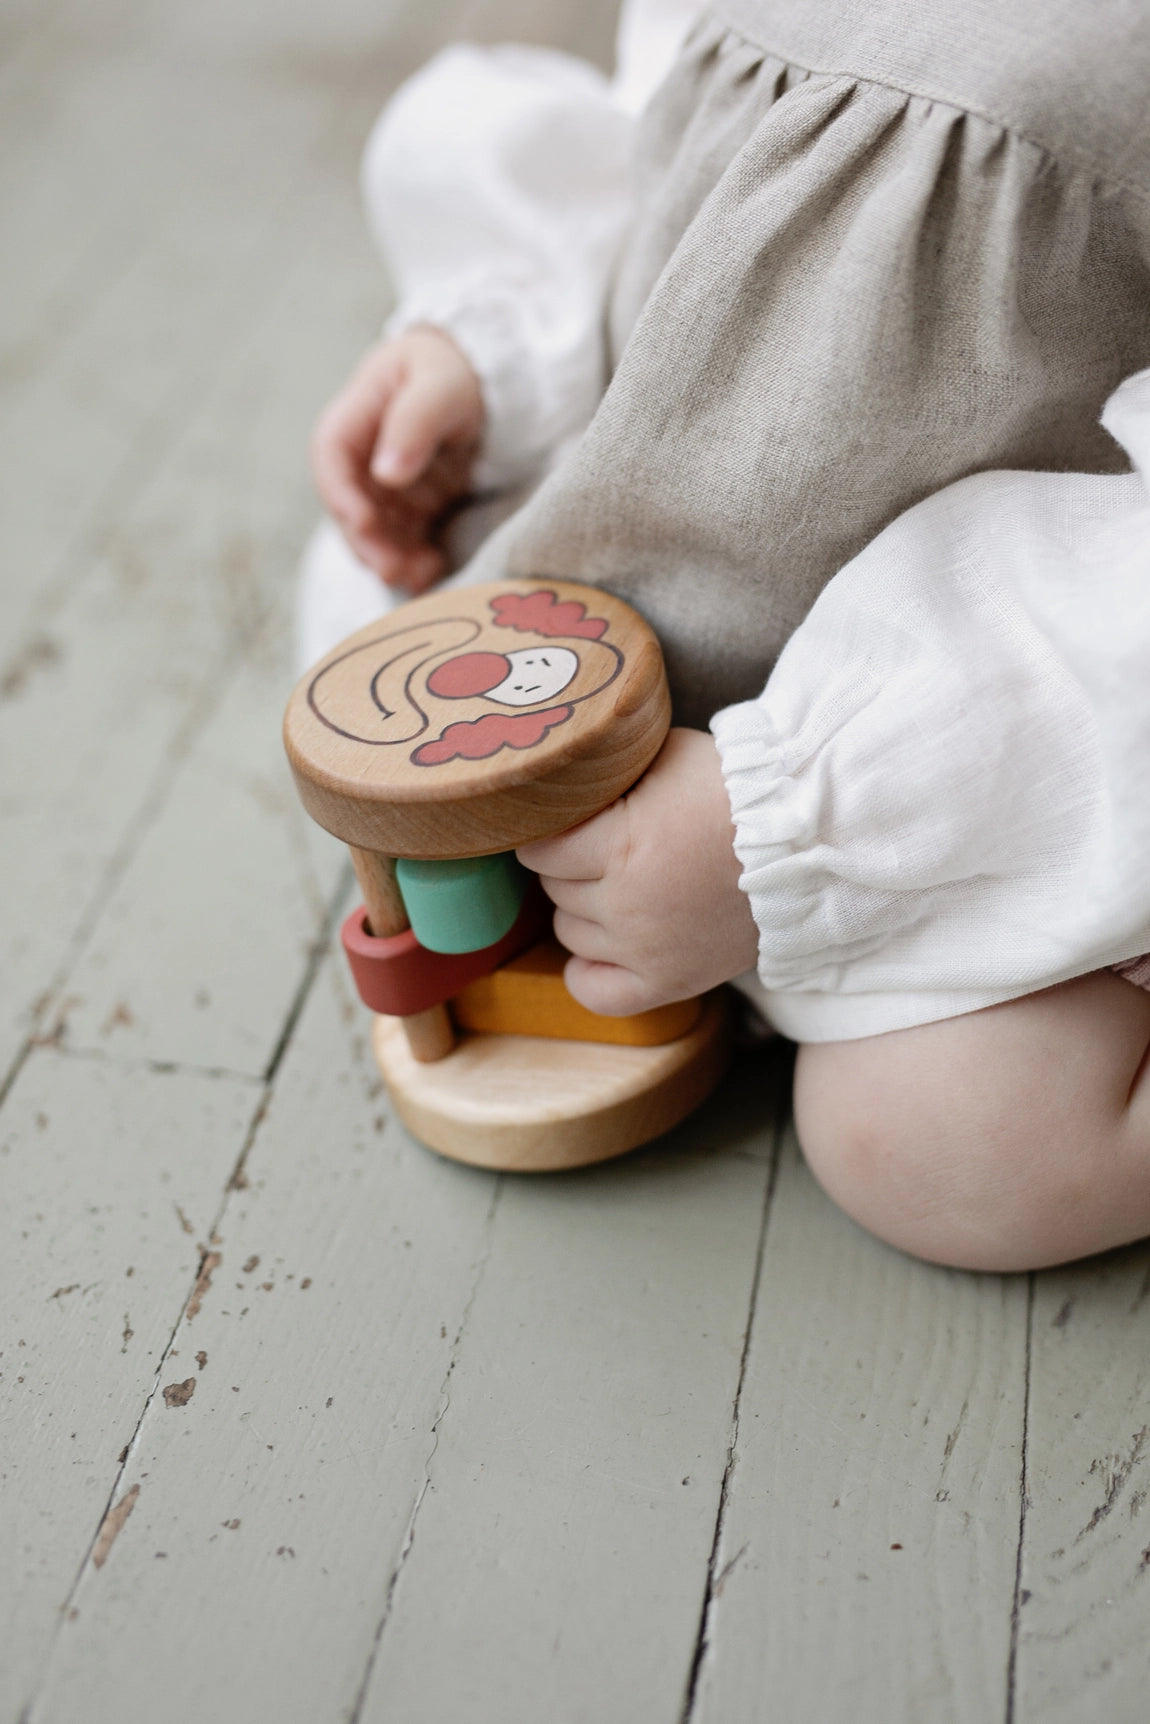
532, 1104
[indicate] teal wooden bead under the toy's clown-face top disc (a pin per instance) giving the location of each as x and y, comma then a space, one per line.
463, 906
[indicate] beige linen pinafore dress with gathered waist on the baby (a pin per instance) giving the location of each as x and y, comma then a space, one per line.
877, 246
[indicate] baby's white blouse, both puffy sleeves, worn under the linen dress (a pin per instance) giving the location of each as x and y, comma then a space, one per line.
941, 797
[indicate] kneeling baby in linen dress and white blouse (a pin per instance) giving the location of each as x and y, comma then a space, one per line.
859, 261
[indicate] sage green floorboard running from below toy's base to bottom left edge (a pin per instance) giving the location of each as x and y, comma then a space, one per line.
282, 1494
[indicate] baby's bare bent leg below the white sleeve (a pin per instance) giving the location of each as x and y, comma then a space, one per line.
1009, 1139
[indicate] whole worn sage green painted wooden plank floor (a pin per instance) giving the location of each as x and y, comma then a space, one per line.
299, 1423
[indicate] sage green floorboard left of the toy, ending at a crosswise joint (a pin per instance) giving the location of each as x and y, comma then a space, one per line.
204, 942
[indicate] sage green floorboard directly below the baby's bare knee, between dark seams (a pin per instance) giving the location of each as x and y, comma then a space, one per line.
866, 1565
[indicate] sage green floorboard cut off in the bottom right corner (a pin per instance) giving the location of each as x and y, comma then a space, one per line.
1085, 1580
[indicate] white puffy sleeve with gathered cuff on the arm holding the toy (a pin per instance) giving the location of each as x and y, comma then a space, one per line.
941, 797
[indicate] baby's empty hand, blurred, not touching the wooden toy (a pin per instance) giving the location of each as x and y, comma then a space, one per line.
394, 451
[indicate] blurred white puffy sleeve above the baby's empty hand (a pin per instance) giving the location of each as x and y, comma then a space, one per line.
497, 185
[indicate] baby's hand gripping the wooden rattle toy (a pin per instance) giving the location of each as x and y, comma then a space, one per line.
647, 892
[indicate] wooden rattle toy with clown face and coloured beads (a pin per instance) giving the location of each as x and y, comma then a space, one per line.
434, 744
